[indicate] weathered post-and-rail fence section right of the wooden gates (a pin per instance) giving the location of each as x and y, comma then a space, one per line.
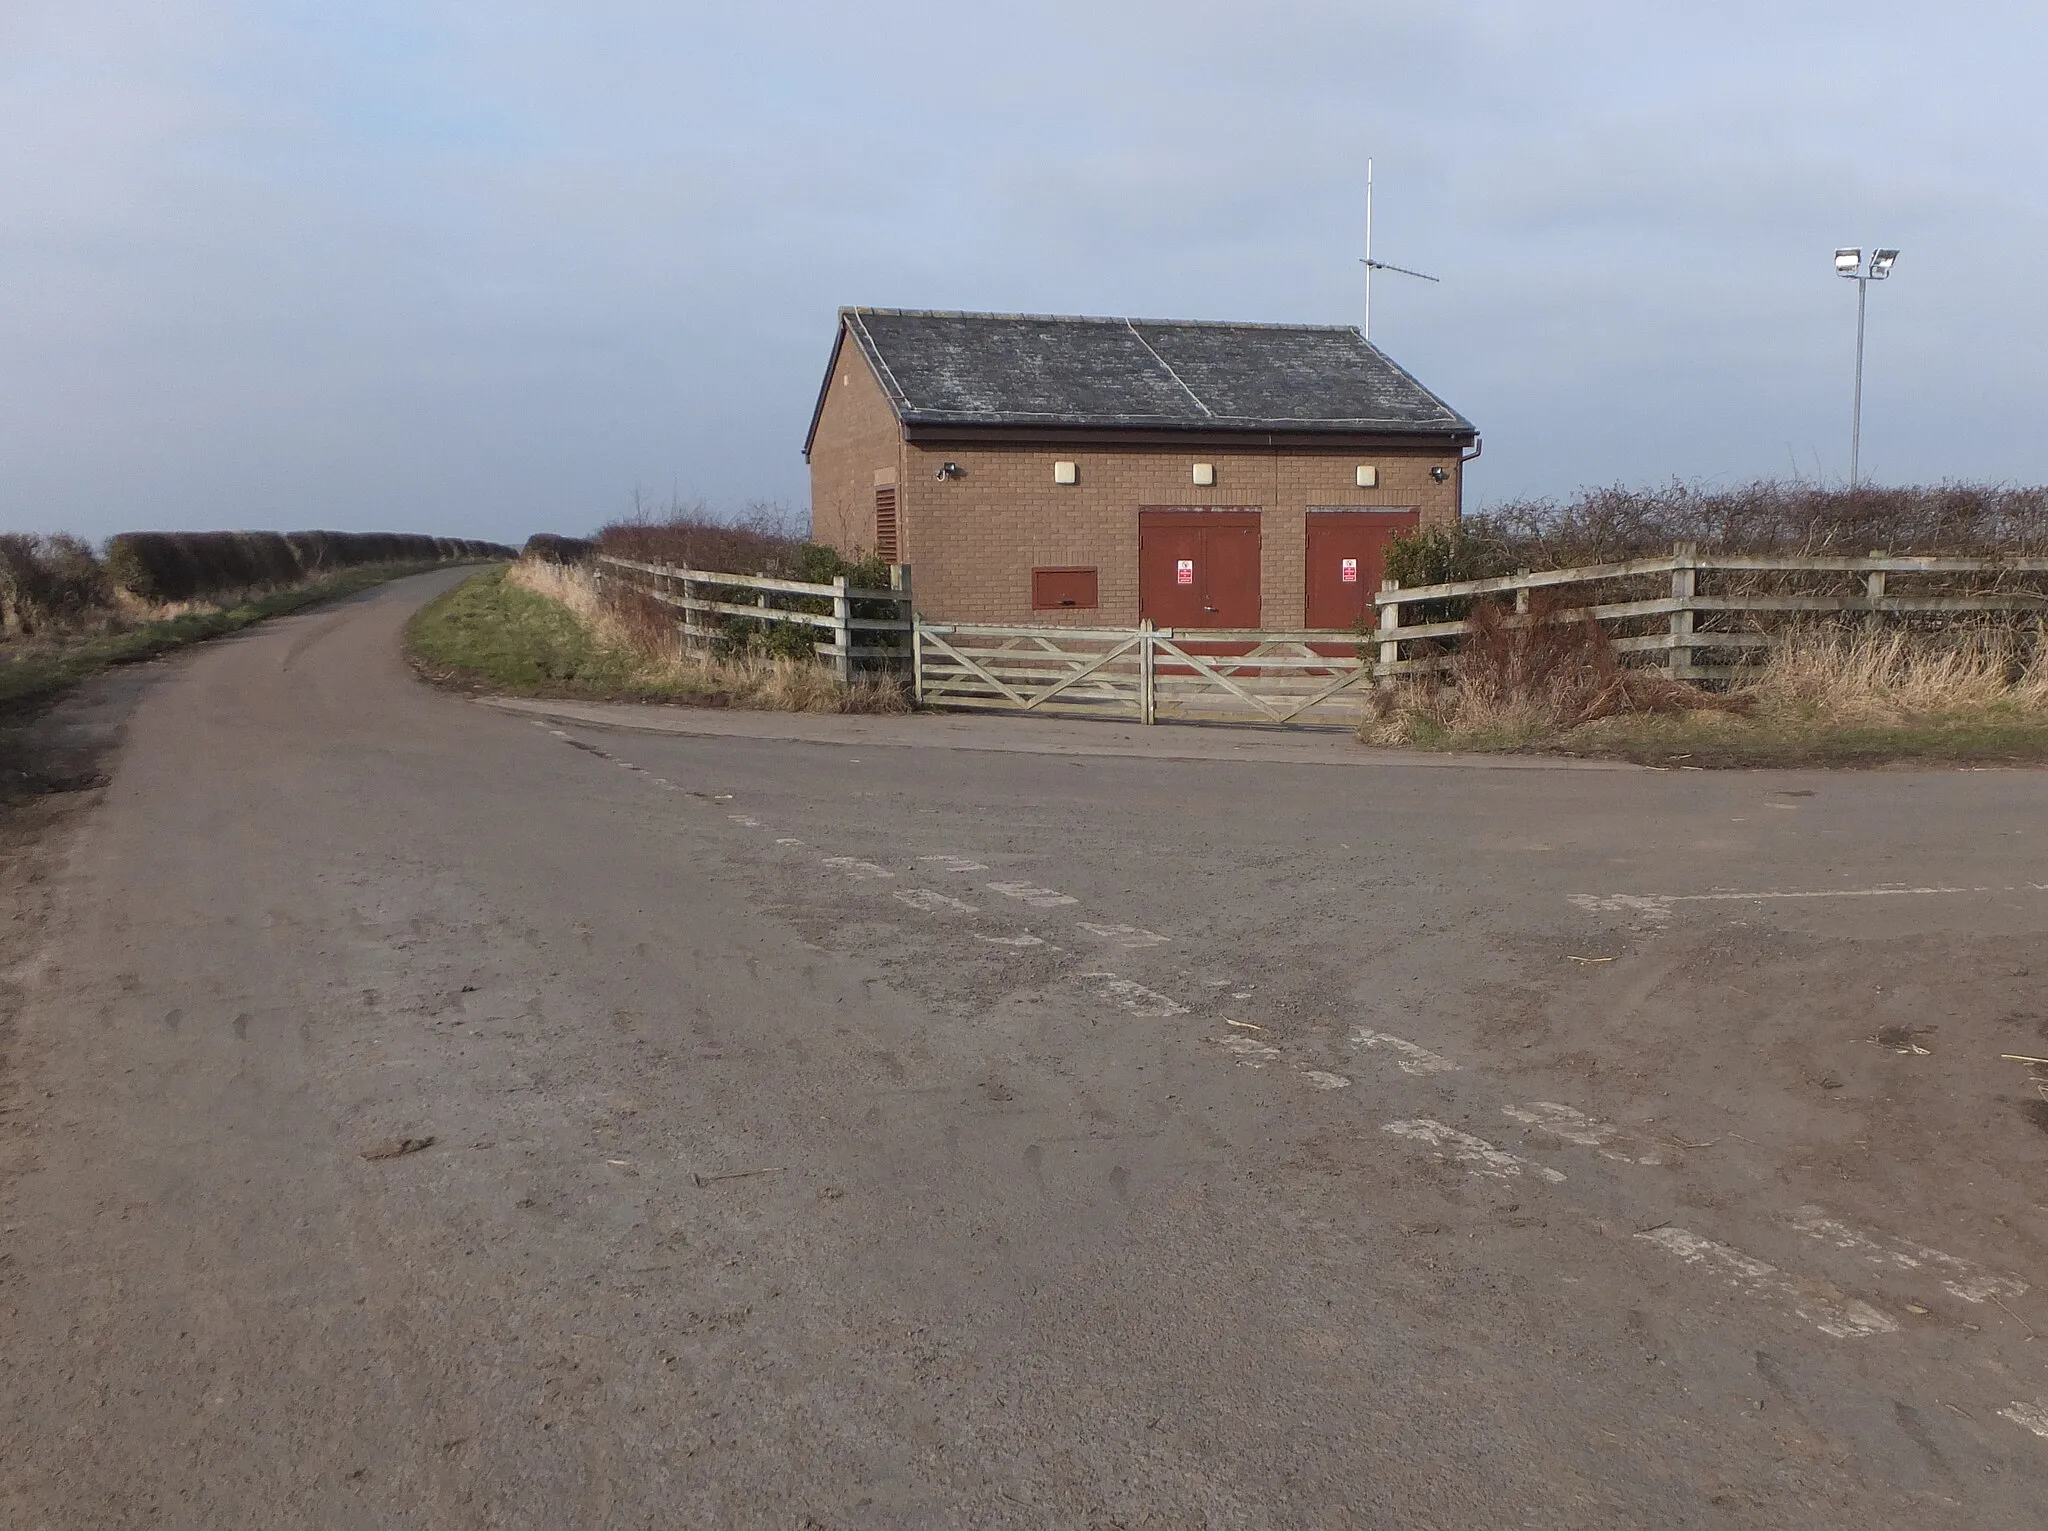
1684, 640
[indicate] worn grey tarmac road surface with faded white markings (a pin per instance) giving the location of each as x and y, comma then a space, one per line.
431, 1114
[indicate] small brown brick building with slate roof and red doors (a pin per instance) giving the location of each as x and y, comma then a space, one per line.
1099, 472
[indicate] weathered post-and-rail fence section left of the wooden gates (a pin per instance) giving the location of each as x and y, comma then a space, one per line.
706, 595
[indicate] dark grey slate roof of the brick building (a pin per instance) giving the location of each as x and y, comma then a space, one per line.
1031, 369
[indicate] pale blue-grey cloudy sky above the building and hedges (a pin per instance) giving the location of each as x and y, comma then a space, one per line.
499, 267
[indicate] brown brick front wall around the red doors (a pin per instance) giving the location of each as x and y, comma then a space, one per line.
974, 541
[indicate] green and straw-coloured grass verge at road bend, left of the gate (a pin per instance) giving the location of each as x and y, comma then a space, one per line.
540, 631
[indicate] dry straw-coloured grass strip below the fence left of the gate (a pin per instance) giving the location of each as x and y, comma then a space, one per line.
644, 636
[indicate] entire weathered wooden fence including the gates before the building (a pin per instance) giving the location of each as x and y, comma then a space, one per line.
1709, 617
